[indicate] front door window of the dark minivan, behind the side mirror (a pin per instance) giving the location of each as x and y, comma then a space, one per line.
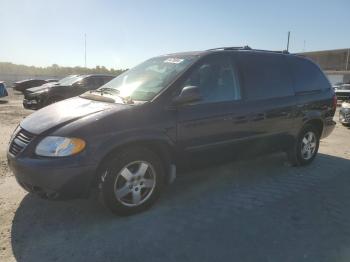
217, 80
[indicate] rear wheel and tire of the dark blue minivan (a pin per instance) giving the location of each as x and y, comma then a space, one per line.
303, 152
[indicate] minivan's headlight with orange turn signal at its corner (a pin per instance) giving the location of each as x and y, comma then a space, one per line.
56, 146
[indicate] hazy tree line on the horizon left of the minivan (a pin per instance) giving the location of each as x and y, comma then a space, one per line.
54, 70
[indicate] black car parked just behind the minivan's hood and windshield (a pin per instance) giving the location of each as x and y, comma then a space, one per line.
38, 97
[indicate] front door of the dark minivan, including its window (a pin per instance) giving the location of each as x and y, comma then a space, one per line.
208, 123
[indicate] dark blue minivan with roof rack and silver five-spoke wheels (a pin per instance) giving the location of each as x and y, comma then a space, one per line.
125, 139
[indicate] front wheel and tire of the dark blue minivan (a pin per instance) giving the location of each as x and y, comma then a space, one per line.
131, 181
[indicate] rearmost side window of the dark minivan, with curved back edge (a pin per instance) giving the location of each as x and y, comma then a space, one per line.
307, 76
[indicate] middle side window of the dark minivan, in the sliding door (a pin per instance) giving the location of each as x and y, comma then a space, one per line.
265, 76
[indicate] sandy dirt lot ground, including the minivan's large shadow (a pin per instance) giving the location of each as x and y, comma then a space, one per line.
250, 210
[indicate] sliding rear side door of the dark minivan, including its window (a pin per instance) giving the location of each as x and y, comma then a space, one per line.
268, 93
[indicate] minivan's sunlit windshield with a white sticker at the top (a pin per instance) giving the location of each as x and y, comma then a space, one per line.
146, 80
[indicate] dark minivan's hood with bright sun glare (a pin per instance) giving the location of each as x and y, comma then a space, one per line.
64, 112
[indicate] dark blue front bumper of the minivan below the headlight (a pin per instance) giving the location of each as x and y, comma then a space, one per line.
52, 178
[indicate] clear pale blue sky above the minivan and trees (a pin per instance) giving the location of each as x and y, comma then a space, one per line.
121, 34
